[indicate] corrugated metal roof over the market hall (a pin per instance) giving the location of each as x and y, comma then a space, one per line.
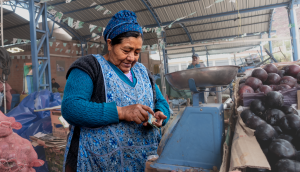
167, 11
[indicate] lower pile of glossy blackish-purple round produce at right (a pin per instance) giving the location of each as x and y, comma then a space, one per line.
277, 130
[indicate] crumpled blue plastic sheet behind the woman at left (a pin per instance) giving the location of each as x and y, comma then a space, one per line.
34, 122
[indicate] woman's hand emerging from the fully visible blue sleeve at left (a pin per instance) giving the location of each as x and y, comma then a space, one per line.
137, 113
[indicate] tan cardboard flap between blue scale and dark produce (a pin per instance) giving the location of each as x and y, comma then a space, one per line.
245, 150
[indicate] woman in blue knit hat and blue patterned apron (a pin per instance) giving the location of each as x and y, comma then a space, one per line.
107, 100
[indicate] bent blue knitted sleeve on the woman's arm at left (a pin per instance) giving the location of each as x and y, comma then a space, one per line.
77, 108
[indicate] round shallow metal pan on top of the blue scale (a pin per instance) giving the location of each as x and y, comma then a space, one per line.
204, 77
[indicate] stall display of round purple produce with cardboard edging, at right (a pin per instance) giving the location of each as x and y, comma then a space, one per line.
268, 123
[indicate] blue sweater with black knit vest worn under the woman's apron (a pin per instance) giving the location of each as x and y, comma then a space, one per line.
84, 104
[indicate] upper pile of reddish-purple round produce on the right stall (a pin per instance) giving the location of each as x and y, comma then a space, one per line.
270, 78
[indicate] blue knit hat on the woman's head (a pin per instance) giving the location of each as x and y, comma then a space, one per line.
121, 22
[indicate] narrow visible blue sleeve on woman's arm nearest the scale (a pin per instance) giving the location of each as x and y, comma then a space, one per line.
162, 105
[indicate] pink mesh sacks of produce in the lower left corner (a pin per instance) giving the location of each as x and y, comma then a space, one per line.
16, 153
